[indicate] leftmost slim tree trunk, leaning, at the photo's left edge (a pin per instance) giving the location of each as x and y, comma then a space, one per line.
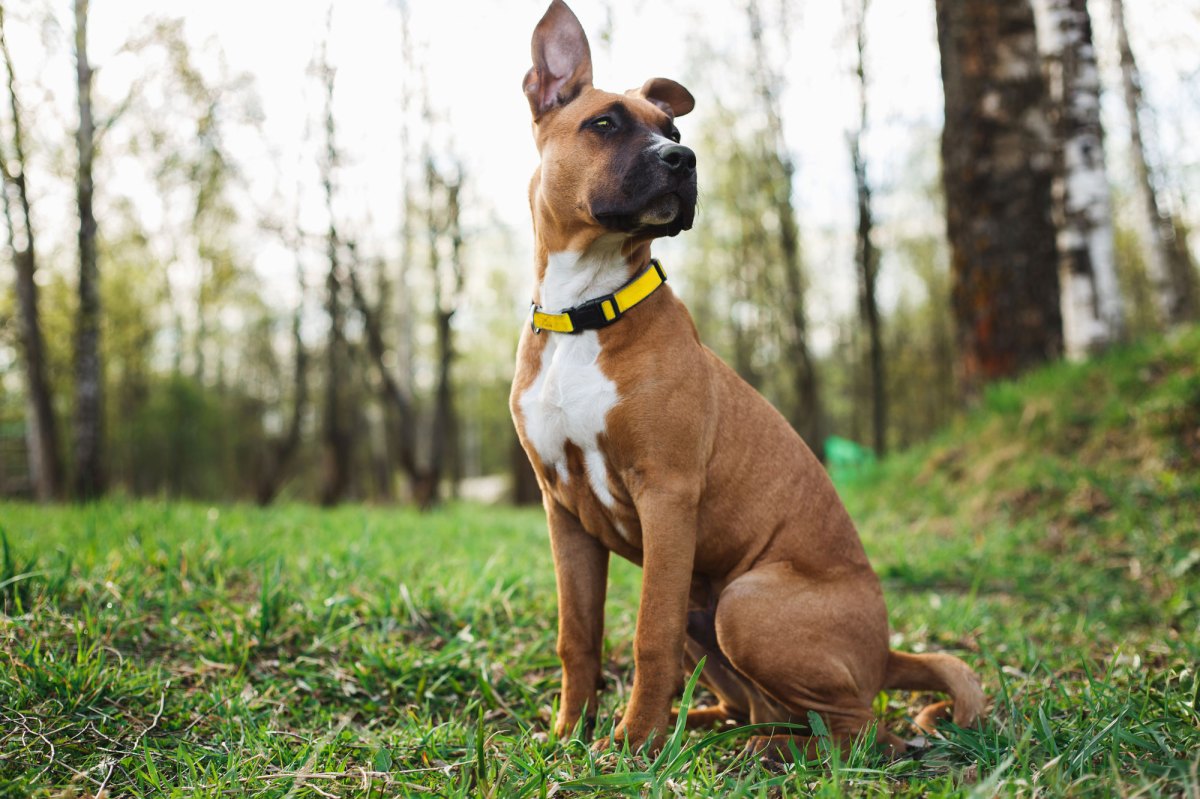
41, 435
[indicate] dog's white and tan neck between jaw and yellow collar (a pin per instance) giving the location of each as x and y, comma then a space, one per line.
569, 278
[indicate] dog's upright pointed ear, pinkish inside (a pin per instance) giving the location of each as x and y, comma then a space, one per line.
562, 61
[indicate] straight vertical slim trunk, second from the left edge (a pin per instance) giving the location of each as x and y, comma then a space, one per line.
89, 476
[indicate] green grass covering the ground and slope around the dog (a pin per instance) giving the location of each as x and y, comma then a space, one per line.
1052, 539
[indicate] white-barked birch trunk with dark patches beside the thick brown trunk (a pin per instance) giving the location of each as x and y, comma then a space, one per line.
1093, 309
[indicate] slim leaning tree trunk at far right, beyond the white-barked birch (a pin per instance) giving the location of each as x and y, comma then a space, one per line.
1168, 261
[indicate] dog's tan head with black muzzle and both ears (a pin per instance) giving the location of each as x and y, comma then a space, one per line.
610, 164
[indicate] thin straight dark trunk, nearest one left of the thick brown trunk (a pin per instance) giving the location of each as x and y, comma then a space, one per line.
866, 254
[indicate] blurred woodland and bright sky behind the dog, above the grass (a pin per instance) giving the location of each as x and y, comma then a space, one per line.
260, 251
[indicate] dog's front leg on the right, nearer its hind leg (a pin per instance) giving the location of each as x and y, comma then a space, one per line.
669, 549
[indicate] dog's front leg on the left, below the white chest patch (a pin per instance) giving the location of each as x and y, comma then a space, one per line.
581, 572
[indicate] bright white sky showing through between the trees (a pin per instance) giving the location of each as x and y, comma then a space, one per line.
476, 55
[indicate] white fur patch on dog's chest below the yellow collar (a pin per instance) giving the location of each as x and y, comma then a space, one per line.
569, 401
